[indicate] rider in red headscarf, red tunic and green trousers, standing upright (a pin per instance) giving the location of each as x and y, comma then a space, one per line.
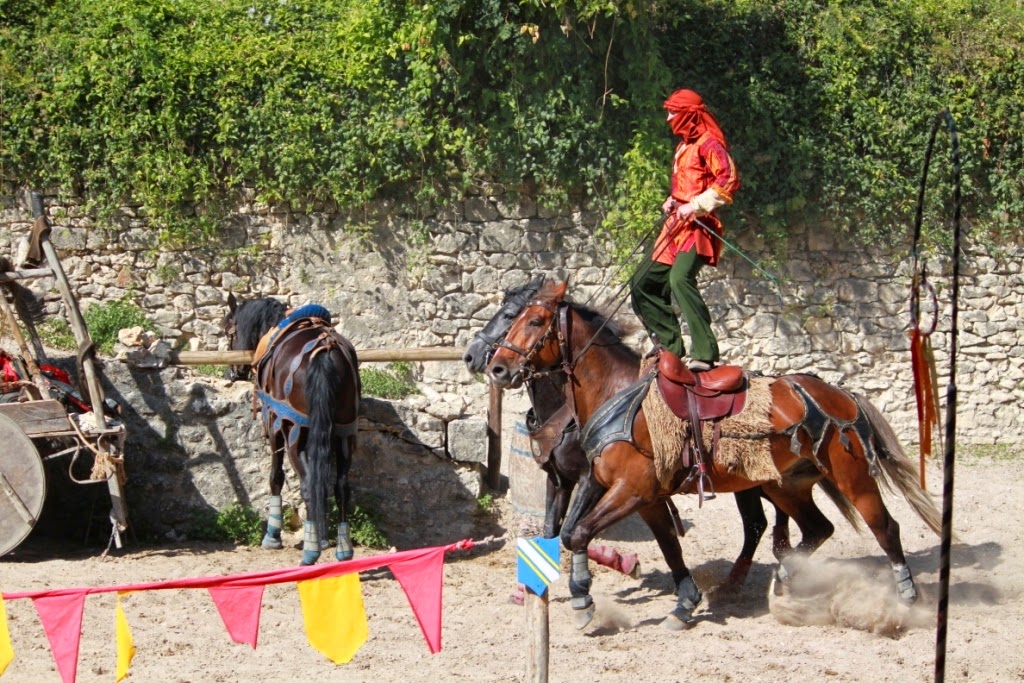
704, 179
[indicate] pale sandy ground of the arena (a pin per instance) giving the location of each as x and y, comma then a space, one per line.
843, 626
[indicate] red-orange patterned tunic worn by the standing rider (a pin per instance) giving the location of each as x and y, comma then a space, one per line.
698, 166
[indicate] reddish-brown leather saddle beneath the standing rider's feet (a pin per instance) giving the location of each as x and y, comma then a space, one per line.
696, 397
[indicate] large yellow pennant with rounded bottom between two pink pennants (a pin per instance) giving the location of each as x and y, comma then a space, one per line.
335, 619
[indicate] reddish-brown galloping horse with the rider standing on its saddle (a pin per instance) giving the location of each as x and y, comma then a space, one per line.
841, 436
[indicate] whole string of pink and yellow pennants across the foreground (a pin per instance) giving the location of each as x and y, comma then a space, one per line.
330, 593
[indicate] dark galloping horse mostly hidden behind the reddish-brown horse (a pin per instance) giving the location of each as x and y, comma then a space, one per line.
551, 425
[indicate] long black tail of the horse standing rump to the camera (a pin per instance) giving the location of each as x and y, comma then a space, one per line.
322, 389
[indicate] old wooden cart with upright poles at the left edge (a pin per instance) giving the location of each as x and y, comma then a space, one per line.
38, 428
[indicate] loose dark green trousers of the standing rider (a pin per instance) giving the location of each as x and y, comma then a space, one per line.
652, 290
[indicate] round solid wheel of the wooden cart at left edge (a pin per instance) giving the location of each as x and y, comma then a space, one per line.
23, 486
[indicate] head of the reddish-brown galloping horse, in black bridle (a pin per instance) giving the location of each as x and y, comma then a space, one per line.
532, 343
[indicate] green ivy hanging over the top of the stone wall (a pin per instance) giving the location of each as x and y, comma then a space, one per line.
175, 104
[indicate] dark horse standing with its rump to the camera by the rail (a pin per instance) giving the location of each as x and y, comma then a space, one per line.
309, 393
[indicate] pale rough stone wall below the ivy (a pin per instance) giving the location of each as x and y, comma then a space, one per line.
396, 280
